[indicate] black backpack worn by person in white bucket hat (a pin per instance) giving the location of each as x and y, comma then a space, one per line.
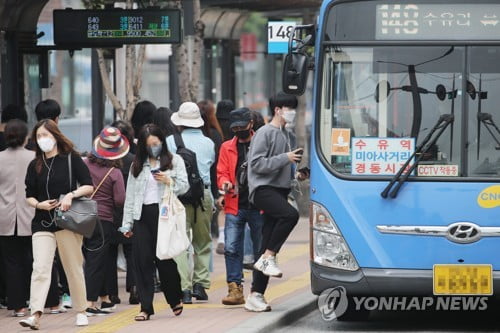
194, 195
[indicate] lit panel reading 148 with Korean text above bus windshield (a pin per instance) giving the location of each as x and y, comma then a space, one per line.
437, 21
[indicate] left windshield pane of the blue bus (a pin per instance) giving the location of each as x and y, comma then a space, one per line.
391, 92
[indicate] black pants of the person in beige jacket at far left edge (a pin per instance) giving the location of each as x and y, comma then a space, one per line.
17, 262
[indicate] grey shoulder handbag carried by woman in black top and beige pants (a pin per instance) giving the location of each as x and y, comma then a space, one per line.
81, 217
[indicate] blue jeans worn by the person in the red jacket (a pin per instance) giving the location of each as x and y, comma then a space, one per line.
234, 231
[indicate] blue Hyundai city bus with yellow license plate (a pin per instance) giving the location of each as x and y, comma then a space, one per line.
405, 163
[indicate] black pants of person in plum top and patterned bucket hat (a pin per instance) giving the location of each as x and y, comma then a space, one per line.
97, 262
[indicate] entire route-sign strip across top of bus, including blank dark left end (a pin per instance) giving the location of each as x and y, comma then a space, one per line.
383, 20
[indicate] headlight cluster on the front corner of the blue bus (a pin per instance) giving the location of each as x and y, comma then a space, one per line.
329, 247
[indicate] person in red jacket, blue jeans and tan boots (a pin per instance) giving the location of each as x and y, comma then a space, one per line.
238, 209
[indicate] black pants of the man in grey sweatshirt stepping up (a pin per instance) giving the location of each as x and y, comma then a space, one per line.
279, 220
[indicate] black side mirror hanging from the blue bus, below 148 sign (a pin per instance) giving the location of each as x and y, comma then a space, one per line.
295, 69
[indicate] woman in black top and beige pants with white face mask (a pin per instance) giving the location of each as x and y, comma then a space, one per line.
47, 179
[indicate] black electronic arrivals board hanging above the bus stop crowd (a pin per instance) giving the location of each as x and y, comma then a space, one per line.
115, 27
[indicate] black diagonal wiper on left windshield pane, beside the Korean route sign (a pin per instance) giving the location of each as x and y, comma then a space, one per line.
440, 126
